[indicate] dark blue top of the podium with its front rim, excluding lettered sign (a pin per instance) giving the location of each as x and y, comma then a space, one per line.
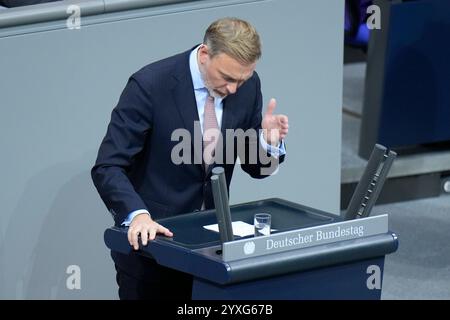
196, 250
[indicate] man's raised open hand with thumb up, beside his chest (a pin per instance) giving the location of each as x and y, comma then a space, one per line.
275, 127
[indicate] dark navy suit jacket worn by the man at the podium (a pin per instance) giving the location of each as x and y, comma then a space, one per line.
134, 169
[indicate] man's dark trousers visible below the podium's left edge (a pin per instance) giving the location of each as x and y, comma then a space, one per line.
163, 284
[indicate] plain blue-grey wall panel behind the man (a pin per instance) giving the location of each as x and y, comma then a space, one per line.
58, 87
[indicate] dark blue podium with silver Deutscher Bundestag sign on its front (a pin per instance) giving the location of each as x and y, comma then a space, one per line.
311, 254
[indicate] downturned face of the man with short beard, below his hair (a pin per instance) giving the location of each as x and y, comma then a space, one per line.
222, 74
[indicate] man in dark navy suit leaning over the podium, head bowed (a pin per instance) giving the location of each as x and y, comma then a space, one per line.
206, 92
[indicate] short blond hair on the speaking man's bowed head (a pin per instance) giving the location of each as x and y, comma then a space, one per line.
235, 37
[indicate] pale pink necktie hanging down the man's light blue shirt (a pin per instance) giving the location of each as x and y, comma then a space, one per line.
211, 132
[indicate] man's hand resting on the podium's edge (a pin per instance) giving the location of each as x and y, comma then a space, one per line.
143, 225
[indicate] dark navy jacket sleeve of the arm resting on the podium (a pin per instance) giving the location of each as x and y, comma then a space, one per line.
131, 122
